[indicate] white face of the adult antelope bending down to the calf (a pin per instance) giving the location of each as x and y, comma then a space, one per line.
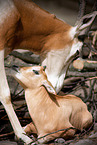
57, 63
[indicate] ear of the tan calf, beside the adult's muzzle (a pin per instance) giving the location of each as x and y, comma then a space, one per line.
49, 87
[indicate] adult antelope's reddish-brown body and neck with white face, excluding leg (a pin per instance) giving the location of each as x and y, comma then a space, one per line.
24, 25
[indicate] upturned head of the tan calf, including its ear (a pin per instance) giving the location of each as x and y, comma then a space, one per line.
32, 77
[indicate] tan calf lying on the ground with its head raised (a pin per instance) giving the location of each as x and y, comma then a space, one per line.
49, 111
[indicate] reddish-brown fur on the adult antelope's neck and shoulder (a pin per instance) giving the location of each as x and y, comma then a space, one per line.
50, 32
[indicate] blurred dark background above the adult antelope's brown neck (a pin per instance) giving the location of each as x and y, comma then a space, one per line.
66, 10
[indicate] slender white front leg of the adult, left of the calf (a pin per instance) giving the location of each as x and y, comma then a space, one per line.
6, 101
